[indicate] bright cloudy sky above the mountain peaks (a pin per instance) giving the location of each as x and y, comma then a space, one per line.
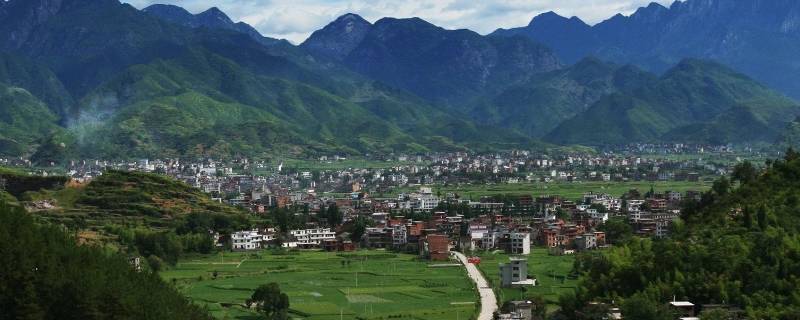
295, 20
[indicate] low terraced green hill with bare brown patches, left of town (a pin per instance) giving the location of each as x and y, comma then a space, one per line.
148, 215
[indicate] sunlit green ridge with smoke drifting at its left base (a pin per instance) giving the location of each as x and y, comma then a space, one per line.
201, 103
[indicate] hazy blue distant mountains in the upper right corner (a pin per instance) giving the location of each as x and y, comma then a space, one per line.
760, 38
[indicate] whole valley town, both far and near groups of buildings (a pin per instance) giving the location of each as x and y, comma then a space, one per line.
405, 206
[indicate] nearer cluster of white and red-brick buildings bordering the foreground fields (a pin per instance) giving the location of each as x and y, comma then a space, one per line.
562, 226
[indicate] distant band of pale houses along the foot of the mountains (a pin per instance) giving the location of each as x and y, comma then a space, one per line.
258, 185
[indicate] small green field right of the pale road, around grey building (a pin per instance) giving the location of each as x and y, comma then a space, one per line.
551, 272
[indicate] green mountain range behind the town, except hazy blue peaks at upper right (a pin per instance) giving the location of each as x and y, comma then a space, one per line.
98, 78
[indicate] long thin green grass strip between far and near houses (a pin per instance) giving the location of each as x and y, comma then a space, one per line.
568, 190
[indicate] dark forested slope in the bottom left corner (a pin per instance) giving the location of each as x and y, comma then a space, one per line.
46, 275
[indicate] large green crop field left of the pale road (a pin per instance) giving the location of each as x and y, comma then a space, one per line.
322, 285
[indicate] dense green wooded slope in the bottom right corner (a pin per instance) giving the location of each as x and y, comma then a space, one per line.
738, 247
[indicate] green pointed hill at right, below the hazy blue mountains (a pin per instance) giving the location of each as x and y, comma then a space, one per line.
696, 101
